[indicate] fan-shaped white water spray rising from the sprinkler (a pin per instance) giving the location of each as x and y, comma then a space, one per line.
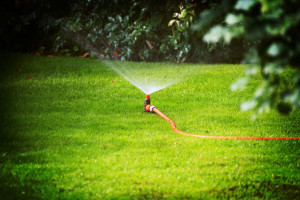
148, 77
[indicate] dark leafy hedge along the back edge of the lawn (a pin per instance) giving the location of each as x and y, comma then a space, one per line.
126, 30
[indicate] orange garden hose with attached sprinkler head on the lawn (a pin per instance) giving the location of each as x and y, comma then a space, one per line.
150, 108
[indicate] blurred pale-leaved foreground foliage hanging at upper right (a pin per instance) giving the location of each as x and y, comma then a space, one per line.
270, 28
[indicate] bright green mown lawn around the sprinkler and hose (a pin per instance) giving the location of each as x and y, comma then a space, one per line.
72, 133
